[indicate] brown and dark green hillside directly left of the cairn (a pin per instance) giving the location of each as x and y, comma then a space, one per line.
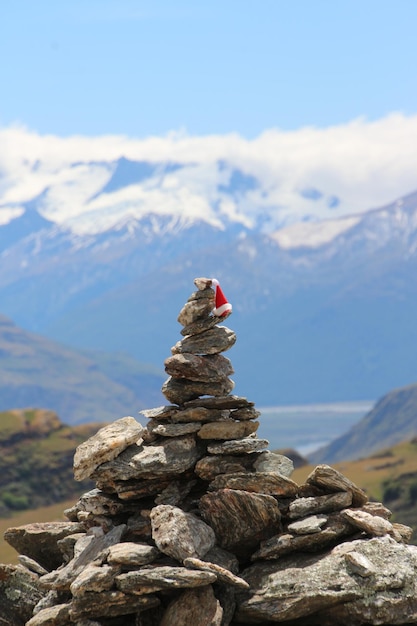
36, 457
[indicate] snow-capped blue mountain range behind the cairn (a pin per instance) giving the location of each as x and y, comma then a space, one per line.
100, 256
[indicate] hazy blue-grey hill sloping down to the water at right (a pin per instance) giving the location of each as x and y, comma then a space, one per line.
392, 420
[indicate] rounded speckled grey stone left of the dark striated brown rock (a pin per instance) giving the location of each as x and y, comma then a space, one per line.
180, 534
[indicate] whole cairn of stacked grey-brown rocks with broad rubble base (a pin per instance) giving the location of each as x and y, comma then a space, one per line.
194, 520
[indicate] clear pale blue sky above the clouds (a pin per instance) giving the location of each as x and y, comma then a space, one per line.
147, 68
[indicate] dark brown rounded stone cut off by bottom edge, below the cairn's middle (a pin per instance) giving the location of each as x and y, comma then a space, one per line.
194, 606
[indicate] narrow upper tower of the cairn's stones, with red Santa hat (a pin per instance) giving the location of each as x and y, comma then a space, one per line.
196, 367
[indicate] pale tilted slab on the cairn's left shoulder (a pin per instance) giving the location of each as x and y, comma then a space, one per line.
105, 445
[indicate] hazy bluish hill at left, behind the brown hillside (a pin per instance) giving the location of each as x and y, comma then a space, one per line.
81, 386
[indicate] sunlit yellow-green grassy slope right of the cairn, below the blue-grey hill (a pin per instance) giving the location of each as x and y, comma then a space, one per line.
388, 476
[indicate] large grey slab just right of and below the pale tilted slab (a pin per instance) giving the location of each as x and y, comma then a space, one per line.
171, 456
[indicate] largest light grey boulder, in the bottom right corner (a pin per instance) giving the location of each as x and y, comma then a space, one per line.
297, 587
